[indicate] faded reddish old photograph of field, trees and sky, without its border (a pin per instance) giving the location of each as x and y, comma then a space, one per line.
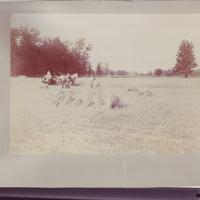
105, 84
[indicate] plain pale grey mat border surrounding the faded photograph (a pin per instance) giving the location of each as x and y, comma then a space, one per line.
87, 170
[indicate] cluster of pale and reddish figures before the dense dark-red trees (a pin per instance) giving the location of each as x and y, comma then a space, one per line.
64, 80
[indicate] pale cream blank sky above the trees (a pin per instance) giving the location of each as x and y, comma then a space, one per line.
132, 42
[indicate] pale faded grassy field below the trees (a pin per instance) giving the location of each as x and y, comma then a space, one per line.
159, 115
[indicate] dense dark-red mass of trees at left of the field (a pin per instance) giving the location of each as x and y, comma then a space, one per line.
32, 55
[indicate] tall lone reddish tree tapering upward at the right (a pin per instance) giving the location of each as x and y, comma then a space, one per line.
185, 60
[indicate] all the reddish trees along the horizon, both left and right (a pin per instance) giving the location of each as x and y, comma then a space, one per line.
32, 55
